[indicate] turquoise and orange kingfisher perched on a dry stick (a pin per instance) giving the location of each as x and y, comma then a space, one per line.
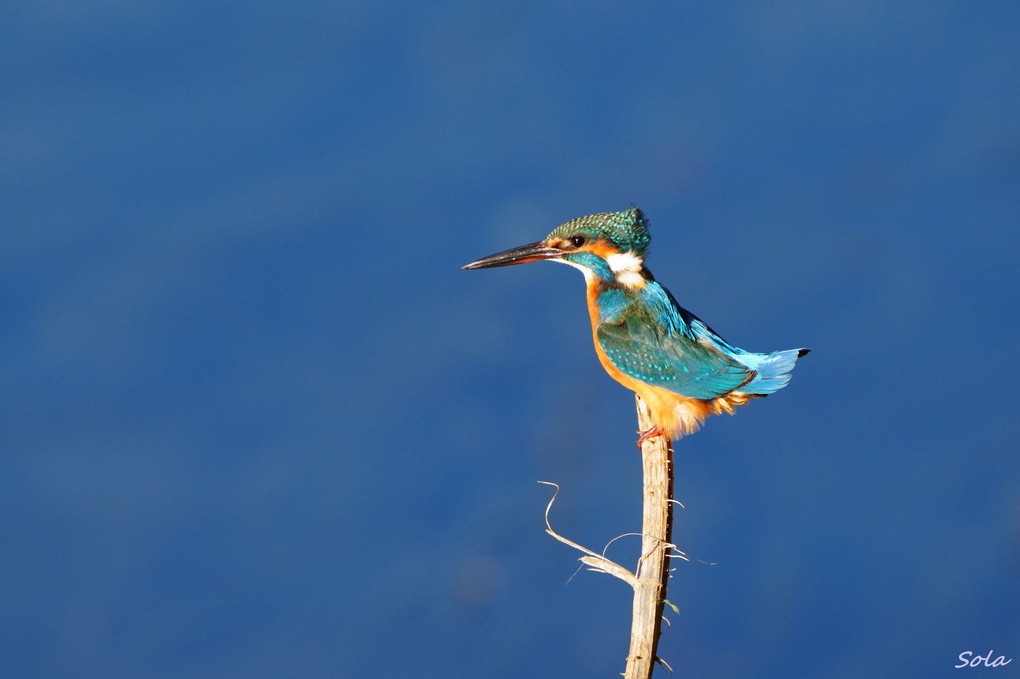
647, 342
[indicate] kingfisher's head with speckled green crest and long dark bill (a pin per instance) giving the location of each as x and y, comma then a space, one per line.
609, 246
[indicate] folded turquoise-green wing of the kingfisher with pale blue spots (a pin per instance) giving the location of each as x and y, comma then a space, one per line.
647, 336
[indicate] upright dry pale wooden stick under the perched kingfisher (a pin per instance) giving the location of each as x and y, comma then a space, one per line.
653, 571
